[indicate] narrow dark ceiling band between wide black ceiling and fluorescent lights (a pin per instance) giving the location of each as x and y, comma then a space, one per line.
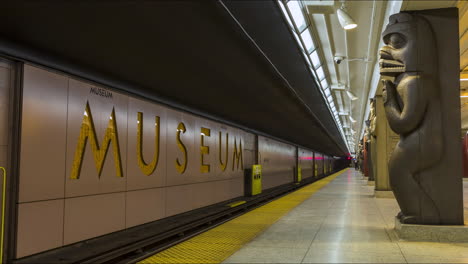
264, 22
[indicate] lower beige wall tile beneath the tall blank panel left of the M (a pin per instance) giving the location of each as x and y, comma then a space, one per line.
40, 227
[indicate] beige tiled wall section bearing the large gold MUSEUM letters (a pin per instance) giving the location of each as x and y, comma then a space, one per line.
60, 204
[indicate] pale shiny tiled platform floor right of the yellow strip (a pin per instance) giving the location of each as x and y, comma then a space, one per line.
345, 223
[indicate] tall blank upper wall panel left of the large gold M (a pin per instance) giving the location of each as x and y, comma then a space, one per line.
43, 135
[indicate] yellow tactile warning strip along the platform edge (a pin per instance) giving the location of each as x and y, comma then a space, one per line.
217, 244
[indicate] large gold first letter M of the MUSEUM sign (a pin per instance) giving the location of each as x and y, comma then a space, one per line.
88, 131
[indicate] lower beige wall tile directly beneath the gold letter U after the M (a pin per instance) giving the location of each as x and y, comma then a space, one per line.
144, 206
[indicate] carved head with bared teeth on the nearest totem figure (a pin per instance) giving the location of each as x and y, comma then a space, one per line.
409, 46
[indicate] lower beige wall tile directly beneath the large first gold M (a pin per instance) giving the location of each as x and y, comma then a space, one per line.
92, 216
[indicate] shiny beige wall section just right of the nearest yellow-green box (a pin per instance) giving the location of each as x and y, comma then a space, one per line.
278, 161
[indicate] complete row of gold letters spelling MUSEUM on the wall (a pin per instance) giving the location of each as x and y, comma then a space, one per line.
111, 136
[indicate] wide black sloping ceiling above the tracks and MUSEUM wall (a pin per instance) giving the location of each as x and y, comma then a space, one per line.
190, 53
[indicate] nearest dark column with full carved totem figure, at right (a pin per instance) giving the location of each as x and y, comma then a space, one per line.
422, 105
